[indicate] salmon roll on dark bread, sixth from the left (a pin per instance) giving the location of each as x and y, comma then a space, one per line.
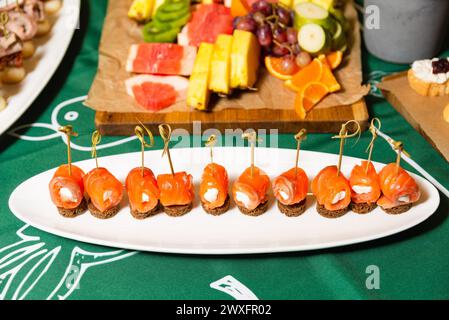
250, 192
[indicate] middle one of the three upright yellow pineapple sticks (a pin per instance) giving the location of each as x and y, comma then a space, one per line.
221, 65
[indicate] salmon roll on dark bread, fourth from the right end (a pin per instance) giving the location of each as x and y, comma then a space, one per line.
290, 190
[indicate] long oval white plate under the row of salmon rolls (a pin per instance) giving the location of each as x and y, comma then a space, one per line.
231, 233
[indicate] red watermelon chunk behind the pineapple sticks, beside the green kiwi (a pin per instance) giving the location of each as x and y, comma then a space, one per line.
208, 21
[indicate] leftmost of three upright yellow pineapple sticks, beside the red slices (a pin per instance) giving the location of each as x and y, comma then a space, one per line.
198, 92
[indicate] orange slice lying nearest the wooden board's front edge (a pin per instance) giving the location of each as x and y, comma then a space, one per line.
307, 98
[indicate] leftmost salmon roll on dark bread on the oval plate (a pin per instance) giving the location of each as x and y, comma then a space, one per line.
67, 191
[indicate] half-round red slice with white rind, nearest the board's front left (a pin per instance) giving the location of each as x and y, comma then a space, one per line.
155, 93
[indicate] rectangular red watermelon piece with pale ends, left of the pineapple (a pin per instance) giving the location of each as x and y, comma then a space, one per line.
161, 58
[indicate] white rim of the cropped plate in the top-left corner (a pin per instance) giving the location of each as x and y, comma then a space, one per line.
41, 67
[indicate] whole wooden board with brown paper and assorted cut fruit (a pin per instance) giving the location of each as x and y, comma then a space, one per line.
221, 63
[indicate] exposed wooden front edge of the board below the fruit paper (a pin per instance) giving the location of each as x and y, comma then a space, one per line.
285, 121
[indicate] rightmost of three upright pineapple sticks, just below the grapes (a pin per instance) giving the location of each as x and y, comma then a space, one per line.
244, 59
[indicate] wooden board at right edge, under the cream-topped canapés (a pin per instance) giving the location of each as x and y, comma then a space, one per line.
425, 114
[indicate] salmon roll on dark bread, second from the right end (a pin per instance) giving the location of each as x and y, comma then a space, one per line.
365, 188
